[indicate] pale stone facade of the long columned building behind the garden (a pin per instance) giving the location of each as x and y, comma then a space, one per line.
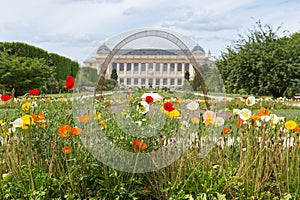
149, 67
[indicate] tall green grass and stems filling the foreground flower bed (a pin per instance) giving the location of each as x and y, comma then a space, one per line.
36, 168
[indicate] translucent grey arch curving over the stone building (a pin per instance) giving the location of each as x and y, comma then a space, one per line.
156, 33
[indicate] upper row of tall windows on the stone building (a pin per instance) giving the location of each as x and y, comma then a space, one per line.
158, 66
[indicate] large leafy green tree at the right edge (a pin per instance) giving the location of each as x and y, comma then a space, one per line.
262, 64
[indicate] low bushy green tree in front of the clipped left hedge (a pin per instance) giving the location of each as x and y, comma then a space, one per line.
23, 73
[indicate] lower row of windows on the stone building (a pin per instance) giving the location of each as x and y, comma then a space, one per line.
158, 81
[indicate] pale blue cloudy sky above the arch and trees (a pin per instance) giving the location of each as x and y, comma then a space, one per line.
75, 28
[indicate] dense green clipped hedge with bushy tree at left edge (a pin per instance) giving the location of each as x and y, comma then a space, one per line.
36, 68
